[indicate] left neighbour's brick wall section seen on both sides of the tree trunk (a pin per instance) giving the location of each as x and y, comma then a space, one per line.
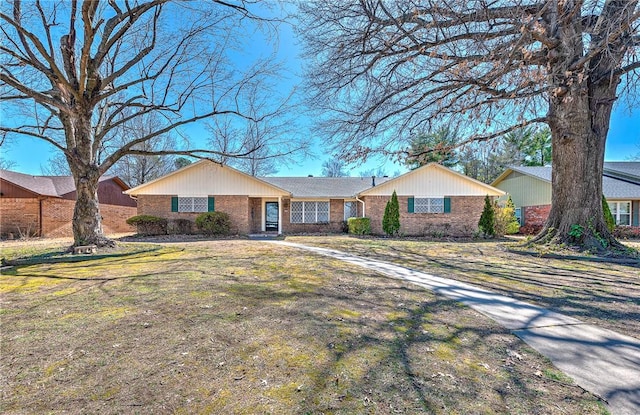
57, 215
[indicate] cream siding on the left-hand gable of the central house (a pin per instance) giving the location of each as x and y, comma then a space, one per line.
207, 178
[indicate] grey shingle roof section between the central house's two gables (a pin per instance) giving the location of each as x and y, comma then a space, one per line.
323, 187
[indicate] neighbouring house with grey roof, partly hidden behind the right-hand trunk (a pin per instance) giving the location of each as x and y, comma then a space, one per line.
530, 190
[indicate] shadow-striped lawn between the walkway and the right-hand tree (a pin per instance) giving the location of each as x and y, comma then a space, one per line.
602, 293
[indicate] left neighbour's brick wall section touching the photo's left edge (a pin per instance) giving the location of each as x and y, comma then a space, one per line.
17, 215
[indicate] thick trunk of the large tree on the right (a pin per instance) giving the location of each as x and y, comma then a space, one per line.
580, 108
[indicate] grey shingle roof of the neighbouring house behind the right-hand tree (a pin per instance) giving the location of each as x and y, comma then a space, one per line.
613, 185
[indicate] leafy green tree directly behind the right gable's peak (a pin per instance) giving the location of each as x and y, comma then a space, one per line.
435, 147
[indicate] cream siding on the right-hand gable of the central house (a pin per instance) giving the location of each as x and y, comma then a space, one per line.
433, 181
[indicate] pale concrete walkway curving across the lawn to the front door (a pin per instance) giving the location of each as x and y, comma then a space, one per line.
601, 361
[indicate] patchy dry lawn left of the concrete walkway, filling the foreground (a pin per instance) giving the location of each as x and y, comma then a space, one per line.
240, 327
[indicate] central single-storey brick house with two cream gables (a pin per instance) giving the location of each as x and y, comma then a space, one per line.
434, 200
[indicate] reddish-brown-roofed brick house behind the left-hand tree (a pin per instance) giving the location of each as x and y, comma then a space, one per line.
43, 205
